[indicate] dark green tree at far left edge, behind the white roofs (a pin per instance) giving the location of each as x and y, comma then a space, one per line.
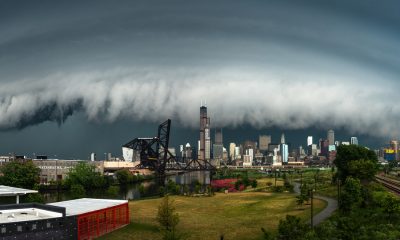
23, 174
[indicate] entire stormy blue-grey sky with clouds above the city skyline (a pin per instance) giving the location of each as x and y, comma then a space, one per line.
89, 75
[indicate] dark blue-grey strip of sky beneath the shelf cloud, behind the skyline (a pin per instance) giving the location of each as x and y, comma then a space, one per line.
30, 140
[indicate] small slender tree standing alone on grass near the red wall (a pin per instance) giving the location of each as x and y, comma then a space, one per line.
168, 219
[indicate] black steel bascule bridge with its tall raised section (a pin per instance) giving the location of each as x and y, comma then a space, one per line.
154, 154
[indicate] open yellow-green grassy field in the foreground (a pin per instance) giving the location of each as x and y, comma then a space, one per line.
235, 215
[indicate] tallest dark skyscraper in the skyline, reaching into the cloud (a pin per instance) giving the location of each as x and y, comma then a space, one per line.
205, 140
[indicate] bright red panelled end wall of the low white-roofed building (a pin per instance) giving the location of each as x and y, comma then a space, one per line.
97, 223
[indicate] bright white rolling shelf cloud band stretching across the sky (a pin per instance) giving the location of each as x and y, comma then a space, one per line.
234, 98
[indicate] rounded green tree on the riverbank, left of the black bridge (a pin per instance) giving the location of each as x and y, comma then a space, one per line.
85, 175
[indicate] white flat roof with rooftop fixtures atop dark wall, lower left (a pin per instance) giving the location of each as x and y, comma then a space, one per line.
26, 214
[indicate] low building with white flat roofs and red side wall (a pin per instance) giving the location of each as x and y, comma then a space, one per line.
78, 219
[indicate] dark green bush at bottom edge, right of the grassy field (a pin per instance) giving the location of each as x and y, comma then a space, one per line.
292, 228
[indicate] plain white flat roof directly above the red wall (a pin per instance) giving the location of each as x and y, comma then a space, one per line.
86, 205
